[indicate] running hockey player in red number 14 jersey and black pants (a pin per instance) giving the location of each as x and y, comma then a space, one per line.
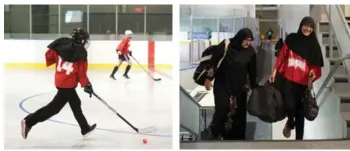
70, 57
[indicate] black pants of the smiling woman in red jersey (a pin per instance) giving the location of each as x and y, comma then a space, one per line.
293, 94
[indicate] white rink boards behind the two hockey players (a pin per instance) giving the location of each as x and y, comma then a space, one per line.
99, 52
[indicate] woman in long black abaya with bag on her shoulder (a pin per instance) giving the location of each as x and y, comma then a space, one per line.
230, 86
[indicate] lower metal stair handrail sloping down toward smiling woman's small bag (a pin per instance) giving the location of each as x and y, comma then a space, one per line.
337, 61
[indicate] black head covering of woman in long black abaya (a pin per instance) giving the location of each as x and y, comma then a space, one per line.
242, 34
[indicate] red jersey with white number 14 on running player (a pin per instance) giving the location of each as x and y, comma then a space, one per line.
67, 74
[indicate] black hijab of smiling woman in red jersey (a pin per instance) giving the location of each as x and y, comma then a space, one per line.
306, 47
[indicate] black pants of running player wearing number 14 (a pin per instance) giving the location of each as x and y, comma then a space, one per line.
63, 96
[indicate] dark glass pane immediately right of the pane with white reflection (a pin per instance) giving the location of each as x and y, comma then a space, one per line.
102, 19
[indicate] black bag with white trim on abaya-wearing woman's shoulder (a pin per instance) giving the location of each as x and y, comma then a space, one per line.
203, 68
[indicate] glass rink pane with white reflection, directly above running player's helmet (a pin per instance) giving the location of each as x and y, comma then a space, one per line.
67, 27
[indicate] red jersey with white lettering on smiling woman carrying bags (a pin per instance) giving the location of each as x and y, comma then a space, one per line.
295, 68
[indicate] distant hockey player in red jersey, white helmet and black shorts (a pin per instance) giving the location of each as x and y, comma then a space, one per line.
124, 52
